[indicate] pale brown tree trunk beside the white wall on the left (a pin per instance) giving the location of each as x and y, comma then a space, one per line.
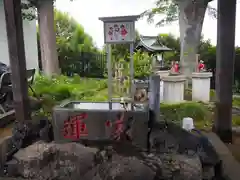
49, 57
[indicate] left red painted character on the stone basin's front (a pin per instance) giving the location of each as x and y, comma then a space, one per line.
74, 127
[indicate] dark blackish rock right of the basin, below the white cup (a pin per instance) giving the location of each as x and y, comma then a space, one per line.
173, 138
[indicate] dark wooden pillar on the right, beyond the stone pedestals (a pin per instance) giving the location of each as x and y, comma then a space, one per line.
225, 68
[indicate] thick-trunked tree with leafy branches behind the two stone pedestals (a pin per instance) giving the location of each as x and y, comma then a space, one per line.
190, 14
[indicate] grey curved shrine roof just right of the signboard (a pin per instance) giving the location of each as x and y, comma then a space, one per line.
152, 44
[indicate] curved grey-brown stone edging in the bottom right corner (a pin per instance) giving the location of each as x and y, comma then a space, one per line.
231, 168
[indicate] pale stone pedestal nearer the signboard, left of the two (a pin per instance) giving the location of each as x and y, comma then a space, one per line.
173, 88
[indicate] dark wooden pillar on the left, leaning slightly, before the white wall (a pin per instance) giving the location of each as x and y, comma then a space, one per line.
17, 58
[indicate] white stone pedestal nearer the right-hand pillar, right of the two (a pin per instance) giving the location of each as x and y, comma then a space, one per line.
201, 86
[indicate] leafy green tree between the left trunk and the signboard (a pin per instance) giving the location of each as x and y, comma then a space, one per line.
75, 47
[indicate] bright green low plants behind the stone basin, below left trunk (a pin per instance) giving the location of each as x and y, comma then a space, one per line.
58, 88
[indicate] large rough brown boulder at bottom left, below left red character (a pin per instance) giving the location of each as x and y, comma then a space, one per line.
49, 161
